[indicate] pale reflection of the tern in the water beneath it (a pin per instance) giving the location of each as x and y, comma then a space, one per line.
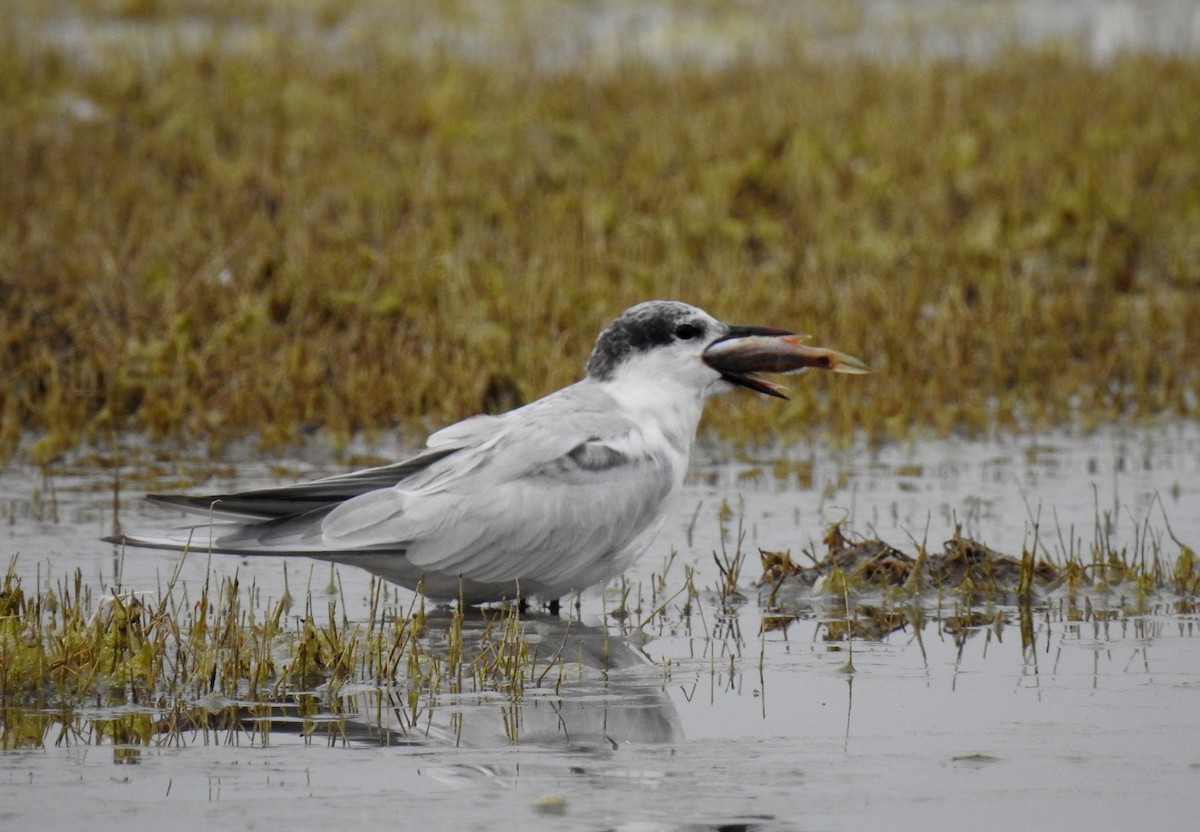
581, 686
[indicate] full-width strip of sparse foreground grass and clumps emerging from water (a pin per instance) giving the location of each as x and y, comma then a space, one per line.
224, 656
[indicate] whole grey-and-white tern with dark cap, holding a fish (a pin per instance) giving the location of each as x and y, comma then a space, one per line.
541, 502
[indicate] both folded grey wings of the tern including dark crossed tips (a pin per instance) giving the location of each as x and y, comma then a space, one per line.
488, 501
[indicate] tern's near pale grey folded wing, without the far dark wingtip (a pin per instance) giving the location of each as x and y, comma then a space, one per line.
566, 482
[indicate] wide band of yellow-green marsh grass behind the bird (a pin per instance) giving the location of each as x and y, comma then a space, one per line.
214, 241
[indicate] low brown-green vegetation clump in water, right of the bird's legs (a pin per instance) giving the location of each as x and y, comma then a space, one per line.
969, 584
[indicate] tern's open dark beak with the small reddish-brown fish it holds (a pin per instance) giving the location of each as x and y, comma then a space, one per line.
746, 351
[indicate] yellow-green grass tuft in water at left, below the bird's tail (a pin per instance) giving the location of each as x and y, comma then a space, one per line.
231, 660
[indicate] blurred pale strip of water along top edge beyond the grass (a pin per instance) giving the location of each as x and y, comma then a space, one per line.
602, 35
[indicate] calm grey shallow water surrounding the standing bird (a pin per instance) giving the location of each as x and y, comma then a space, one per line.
701, 721
